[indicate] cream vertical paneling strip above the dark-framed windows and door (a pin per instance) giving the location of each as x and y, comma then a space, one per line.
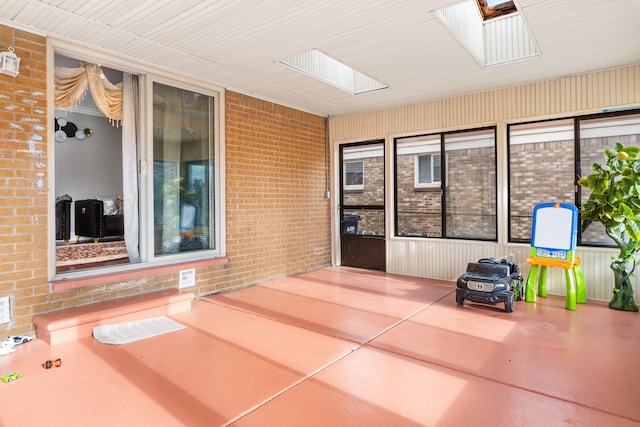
568, 95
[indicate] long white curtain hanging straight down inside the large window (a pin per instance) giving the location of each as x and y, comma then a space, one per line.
130, 180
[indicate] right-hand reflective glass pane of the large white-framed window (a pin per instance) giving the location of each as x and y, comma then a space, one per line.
183, 146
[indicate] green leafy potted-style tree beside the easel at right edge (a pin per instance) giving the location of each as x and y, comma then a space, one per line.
615, 203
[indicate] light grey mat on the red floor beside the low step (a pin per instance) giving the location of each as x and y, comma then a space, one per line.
126, 332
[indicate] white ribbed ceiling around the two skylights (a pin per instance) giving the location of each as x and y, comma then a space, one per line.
236, 43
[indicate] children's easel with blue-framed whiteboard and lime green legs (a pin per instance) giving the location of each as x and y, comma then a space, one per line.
554, 235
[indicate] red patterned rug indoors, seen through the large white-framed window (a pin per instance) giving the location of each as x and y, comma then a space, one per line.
86, 253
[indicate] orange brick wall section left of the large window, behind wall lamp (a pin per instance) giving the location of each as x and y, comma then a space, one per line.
23, 173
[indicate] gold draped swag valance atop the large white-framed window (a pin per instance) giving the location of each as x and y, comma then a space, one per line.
71, 85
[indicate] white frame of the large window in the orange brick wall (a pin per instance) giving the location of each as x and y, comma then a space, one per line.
147, 75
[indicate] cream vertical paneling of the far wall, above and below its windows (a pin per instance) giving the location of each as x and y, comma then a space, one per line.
565, 96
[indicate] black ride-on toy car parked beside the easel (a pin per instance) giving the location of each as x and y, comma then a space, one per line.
490, 281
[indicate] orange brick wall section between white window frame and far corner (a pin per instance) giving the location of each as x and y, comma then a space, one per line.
278, 216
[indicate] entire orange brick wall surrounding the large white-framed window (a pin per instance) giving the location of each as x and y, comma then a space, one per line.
278, 217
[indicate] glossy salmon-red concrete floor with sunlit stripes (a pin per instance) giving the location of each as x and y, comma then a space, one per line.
343, 347
